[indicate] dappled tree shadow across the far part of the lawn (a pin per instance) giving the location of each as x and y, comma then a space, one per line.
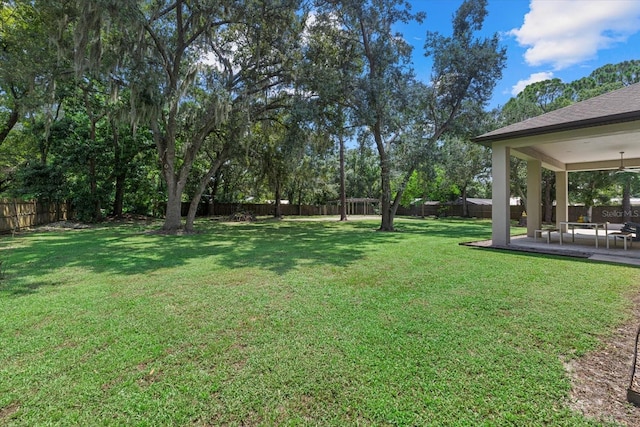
275, 246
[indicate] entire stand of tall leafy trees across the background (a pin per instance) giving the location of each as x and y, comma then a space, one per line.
145, 106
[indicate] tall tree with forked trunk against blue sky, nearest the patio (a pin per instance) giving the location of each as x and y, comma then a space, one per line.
464, 73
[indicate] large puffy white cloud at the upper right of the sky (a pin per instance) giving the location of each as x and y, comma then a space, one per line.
566, 32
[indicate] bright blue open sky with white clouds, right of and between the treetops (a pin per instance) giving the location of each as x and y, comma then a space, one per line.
567, 39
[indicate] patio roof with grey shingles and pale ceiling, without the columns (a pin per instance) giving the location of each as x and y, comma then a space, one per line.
588, 135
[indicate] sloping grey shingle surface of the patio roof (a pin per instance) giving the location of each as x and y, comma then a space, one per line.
613, 107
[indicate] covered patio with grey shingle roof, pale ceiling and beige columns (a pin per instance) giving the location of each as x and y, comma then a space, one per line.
589, 135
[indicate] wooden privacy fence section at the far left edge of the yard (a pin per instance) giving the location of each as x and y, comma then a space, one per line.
18, 214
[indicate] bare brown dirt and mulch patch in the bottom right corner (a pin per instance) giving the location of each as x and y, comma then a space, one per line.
600, 379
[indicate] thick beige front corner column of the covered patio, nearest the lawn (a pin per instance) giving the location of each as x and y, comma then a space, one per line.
501, 193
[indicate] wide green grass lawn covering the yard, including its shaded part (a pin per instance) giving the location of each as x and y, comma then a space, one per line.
295, 323
